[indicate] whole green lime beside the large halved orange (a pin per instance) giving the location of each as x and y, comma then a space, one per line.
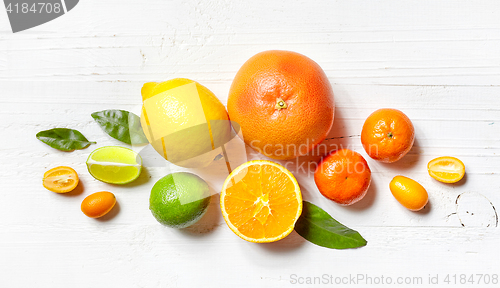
179, 200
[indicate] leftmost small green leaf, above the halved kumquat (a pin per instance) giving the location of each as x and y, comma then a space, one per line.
64, 139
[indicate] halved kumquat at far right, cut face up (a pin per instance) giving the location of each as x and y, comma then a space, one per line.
446, 169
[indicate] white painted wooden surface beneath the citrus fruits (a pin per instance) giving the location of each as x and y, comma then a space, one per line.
438, 61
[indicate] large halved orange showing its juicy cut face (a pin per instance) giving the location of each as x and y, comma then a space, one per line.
261, 201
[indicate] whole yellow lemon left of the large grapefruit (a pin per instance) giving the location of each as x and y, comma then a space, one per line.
184, 122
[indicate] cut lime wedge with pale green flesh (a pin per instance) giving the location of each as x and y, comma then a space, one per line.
114, 164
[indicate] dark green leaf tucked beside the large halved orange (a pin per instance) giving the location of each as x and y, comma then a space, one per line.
316, 226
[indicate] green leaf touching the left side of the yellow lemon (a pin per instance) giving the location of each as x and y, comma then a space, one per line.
122, 125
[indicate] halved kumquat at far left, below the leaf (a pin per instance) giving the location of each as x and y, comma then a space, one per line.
61, 179
